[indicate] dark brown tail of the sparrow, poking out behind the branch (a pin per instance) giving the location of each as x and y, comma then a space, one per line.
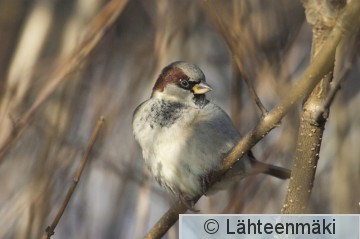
260, 167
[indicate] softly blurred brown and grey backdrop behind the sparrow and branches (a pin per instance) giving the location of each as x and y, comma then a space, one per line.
116, 197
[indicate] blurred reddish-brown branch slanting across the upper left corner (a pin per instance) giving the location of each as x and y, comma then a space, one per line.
95, 32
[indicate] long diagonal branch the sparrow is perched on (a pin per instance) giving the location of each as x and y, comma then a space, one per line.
309, 79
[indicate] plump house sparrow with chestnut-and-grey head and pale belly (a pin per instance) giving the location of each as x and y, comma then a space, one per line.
184, 137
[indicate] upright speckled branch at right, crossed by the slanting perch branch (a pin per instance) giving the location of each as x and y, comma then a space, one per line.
322, 16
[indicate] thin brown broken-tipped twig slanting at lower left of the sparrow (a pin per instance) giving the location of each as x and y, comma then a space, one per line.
50, 229
